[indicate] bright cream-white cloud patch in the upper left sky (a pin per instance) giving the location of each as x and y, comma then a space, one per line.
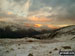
16, 8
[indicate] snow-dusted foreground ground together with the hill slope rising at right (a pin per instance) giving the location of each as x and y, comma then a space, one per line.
47, 44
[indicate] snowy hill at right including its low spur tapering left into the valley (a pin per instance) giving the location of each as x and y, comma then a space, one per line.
64, 33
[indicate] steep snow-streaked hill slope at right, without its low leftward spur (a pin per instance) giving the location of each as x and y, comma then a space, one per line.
65, 33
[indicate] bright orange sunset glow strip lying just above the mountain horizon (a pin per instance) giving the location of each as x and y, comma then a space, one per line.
44, 25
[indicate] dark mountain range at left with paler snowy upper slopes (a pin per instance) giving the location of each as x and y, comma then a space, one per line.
15, 30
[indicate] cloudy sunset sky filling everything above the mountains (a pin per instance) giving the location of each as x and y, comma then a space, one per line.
41, 13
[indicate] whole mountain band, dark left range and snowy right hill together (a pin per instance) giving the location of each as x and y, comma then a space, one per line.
15, 30
